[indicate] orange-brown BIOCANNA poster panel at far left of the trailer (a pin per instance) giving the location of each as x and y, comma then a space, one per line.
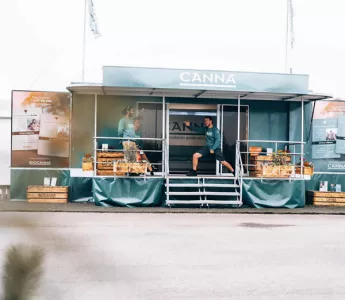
40, 129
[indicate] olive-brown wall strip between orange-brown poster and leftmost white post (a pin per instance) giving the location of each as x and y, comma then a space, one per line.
82, 131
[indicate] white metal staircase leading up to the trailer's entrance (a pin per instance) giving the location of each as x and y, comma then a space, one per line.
203, 190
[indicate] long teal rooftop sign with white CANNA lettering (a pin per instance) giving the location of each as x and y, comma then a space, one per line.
154, 78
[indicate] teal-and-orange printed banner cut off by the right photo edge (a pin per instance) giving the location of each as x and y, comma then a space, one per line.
328, 143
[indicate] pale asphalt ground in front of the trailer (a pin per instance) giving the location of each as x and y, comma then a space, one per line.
184, 256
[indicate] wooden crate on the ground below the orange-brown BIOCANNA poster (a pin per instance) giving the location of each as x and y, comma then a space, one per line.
47, 194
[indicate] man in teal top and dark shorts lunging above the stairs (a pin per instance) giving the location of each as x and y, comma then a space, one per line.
212, 146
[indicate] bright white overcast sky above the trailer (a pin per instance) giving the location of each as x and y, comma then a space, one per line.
41, 40
